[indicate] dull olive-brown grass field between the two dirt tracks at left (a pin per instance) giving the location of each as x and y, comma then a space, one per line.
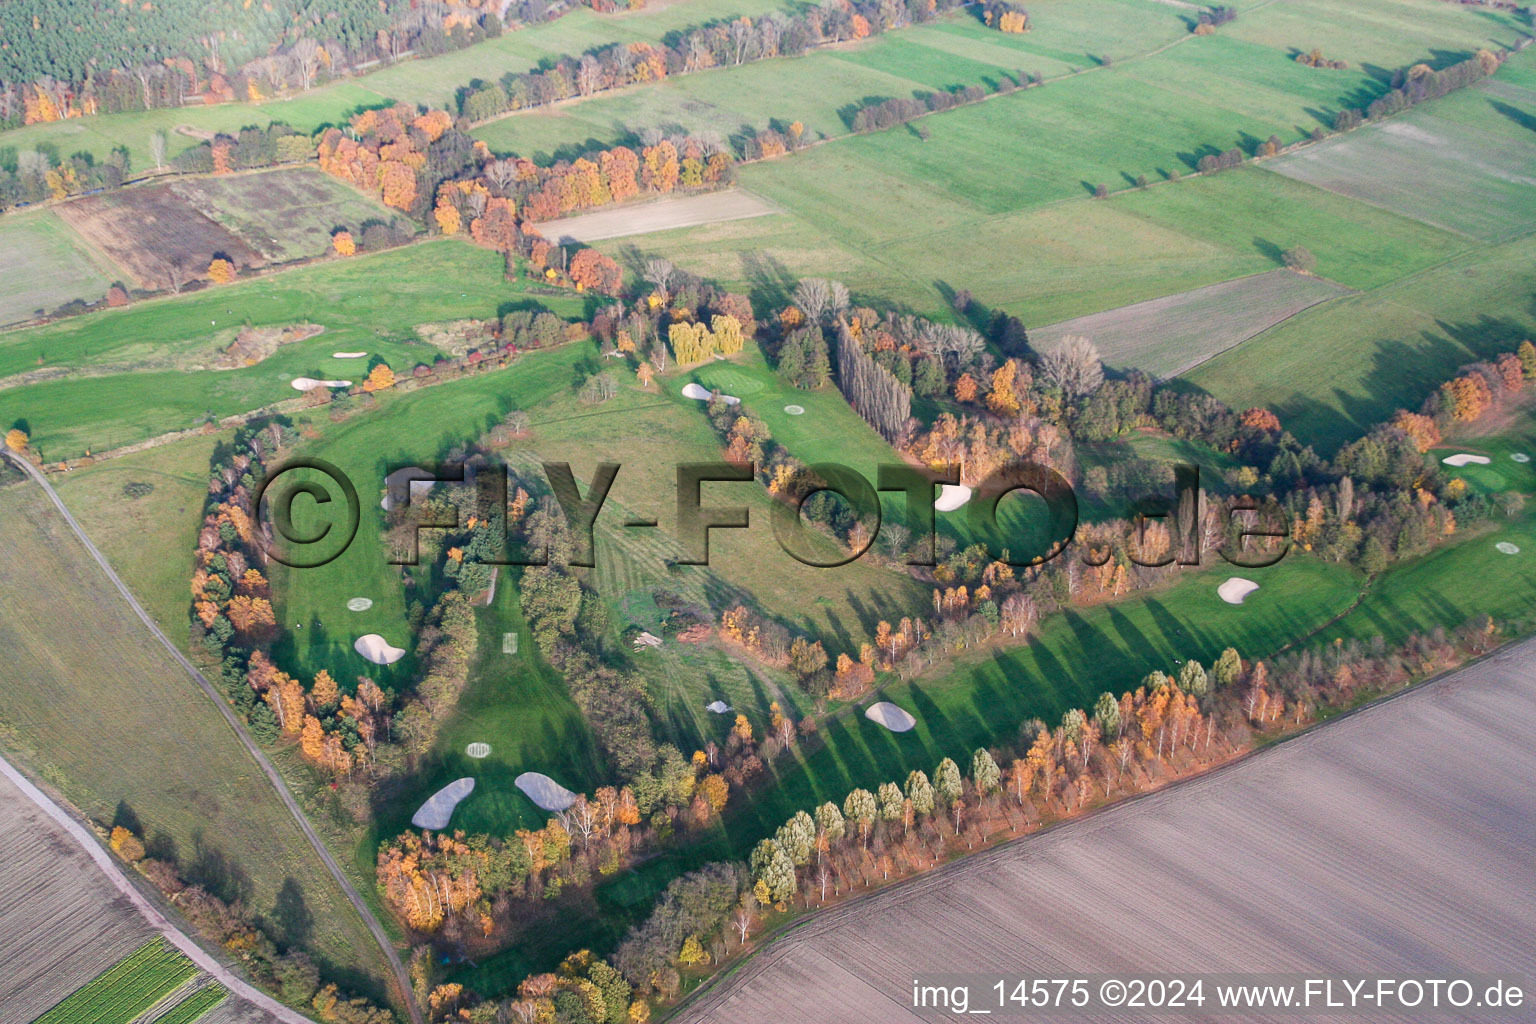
101, 712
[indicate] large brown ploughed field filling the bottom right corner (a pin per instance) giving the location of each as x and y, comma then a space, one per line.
1399, 841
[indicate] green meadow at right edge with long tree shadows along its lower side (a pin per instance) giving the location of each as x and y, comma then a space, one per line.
1334, 372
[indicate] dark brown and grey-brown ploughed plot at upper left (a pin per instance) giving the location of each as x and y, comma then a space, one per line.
164, 236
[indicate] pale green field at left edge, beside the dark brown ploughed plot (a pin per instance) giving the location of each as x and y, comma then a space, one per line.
44, 265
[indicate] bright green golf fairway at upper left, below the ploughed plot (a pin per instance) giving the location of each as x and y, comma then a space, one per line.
432, 282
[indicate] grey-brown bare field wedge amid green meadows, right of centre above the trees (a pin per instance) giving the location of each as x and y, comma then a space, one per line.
1174, 334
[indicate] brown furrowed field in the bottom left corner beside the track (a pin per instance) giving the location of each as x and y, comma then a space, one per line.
61, 922
